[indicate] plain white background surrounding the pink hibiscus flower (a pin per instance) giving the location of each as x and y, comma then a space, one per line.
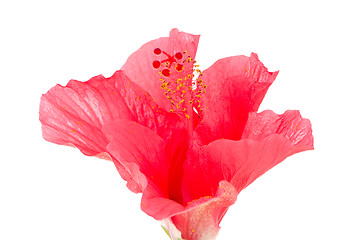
54, 192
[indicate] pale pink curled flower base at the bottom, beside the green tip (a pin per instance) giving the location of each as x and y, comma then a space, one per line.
202, 217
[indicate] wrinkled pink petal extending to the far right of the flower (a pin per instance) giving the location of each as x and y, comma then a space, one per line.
282, 136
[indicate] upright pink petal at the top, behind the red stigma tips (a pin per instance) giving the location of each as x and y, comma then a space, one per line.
140, 69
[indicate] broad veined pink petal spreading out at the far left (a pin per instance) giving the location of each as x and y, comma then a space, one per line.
75, 114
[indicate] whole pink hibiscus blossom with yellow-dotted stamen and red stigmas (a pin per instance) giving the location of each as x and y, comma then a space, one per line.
188, 140
